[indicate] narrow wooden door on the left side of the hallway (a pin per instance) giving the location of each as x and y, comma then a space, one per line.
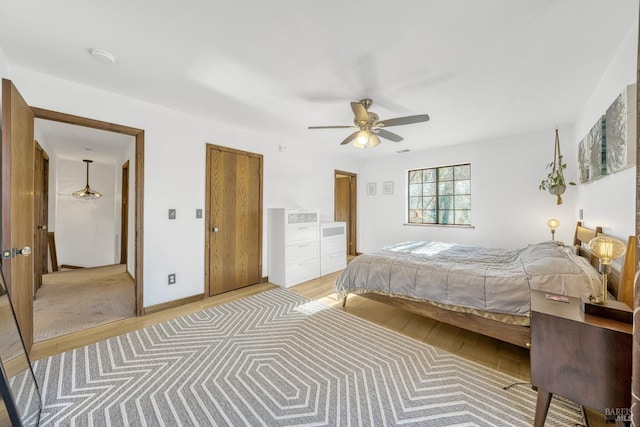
40, 216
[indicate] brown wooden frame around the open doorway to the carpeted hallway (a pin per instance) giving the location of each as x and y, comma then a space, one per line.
138, 134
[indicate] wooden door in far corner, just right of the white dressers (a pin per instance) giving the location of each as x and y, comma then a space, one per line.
345, 206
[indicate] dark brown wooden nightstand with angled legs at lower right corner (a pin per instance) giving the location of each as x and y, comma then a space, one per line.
582, 357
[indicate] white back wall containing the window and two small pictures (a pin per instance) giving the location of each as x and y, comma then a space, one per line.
508, 209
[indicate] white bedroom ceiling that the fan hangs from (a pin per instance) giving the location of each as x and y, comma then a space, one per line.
480, 68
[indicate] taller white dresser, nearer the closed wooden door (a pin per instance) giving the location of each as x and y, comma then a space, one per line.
294, 245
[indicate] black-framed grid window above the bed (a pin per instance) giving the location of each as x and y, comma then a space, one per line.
440, 195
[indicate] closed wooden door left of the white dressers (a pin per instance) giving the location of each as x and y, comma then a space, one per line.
233, 220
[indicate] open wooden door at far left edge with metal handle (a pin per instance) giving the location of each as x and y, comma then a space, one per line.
17, 205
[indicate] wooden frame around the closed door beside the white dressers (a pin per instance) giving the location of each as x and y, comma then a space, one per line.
207, 214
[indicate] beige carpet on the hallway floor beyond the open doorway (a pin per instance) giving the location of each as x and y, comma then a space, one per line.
72, 300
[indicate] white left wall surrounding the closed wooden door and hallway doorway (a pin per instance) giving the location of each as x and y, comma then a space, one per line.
175, 174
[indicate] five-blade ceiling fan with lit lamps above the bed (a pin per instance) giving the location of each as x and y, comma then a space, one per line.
370, 127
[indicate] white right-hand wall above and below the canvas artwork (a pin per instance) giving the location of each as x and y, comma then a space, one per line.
610, 201
